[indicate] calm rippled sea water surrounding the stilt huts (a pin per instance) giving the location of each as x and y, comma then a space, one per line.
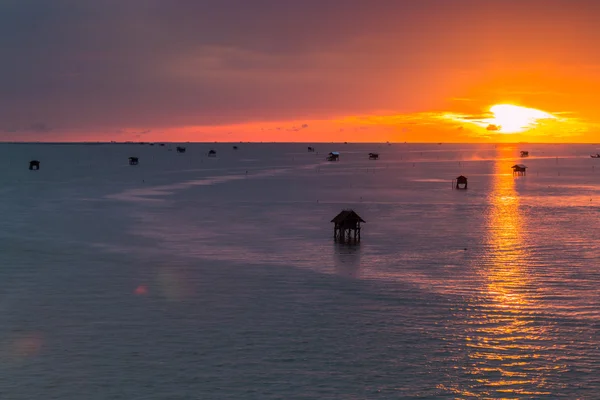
188, 277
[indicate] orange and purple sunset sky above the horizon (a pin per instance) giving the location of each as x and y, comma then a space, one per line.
303, 71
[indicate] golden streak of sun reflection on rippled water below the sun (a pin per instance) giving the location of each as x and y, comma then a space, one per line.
505, 342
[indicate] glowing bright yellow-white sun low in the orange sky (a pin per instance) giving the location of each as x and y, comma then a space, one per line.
508, 118
